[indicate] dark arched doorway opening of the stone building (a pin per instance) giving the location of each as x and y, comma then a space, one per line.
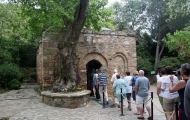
93, 64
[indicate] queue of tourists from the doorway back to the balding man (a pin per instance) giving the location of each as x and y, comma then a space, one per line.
136, 86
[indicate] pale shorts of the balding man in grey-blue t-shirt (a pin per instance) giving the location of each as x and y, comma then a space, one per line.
141, 100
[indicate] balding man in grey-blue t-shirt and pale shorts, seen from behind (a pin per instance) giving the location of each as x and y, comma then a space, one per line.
142, 87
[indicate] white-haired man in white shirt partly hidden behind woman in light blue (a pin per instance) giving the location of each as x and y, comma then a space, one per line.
113, 79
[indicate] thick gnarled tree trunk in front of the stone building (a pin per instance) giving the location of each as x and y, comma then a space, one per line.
69, 73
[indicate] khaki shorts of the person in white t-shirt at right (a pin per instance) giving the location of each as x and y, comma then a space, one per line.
169, 104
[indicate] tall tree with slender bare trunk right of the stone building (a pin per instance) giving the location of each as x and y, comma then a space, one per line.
161, 25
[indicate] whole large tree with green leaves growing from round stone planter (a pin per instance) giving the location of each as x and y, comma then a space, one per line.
67, 17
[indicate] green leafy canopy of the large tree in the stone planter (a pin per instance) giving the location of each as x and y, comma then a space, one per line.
47, 15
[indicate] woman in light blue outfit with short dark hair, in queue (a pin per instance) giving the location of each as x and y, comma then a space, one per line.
118, 85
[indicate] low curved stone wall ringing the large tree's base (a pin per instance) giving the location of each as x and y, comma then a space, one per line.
66, 100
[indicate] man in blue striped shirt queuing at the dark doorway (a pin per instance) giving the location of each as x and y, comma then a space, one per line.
102, 80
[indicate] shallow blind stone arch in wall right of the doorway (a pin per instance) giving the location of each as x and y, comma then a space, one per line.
119, 61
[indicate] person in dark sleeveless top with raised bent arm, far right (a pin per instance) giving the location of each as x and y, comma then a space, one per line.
180, 87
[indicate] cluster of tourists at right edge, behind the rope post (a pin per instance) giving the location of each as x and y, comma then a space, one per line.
175, 87
